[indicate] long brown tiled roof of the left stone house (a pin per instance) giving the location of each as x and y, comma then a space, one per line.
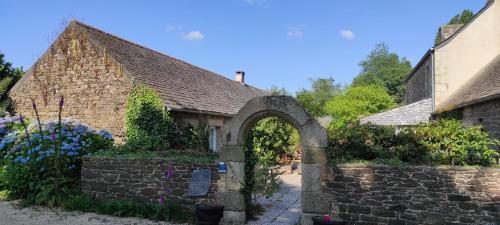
181, 86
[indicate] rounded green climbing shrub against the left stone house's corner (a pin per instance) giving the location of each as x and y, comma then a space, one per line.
148, 123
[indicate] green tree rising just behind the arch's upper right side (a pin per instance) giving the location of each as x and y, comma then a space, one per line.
323, 89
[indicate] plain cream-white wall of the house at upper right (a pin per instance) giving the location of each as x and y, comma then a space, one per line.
460, 58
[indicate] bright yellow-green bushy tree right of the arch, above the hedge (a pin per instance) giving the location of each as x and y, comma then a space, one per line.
358, 101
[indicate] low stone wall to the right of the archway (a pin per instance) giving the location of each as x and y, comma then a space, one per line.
413, 195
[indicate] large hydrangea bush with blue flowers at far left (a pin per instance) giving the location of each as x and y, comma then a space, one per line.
42, 163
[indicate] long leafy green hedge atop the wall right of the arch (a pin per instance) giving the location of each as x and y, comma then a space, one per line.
446, 142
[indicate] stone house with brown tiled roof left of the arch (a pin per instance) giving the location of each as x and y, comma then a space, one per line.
95, 71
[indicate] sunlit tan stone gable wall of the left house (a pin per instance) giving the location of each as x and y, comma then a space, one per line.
94, 87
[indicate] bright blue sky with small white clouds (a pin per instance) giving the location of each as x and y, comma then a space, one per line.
276, 42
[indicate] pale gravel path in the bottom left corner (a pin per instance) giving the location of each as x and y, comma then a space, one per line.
12, 215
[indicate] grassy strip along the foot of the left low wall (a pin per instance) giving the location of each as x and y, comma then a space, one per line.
126, 208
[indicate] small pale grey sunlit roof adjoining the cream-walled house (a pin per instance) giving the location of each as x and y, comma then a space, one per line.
415, 113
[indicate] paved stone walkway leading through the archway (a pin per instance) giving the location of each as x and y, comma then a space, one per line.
284, 207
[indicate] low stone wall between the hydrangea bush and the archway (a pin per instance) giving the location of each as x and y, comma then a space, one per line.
142, 179
